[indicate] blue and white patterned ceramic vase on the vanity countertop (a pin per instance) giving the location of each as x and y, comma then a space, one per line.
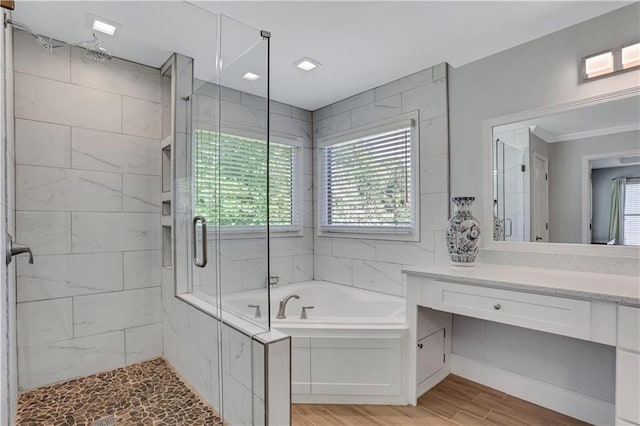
463, 233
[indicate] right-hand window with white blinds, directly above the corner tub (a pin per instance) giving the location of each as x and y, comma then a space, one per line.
368, 182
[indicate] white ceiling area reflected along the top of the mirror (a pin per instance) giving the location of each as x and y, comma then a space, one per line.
595, 120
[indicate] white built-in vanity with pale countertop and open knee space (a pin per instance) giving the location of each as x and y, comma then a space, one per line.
592, 307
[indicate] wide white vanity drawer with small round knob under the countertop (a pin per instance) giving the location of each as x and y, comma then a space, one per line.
558, 315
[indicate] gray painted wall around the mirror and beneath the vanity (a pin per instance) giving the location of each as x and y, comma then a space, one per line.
536, 74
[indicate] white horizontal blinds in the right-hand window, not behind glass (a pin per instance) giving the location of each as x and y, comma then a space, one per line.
367, 181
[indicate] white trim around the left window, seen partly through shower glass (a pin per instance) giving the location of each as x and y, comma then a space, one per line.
277, 231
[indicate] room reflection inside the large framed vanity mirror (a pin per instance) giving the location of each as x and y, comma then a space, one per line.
571, 177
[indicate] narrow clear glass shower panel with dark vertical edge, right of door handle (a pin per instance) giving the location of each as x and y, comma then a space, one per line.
243, 155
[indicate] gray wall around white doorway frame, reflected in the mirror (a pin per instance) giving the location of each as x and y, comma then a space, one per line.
565, 180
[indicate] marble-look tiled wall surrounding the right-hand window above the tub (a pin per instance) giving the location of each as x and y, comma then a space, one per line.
376, 264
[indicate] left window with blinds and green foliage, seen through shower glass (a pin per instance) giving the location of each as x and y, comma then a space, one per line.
239, 166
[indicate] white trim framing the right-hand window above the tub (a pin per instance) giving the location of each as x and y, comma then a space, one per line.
372, 232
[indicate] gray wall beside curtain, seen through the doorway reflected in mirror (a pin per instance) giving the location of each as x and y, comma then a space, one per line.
601, 183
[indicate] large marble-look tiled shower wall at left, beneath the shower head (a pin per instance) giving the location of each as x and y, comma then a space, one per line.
88, 204
